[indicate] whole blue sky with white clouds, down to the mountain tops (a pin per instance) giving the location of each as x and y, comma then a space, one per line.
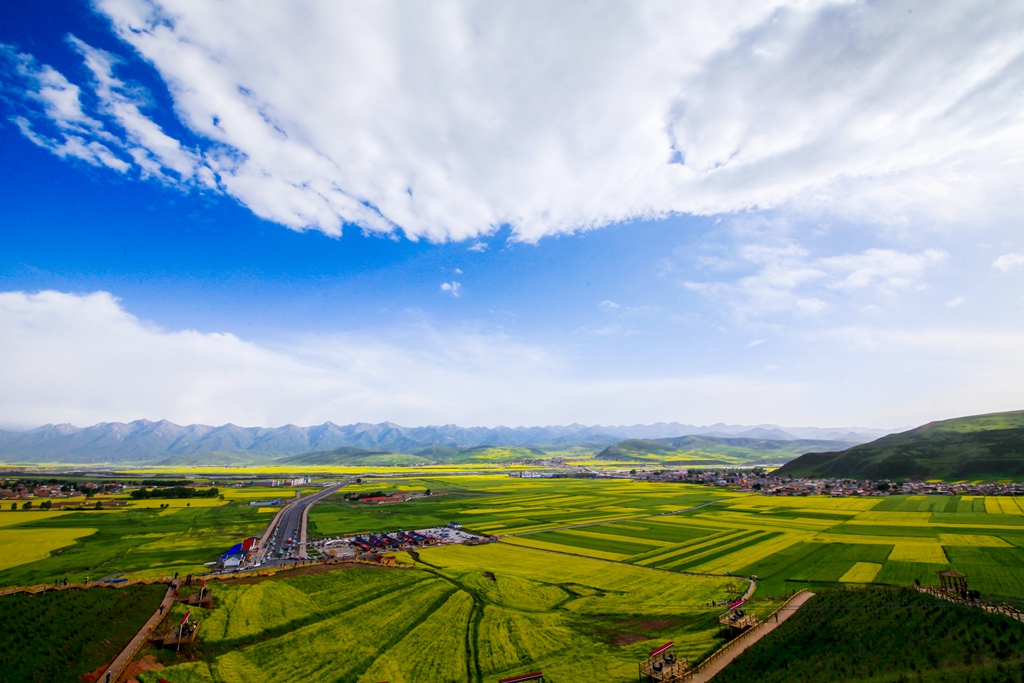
794, 214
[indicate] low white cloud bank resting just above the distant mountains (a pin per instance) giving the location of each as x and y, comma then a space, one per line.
82, 359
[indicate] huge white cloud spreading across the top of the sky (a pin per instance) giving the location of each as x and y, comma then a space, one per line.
451, 122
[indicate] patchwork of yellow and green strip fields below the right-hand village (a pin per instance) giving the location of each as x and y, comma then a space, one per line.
792, 543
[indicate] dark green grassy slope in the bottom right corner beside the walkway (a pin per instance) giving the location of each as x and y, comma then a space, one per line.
887, 636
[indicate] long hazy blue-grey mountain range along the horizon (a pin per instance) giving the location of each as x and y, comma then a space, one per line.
144, 441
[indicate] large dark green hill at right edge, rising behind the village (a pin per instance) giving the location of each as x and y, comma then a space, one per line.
982, 447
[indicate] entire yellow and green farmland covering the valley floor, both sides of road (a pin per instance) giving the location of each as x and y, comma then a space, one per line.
588, 574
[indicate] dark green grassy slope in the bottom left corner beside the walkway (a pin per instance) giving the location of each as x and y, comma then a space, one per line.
60, 636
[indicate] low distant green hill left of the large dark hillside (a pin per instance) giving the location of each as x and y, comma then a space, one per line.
716, 451
